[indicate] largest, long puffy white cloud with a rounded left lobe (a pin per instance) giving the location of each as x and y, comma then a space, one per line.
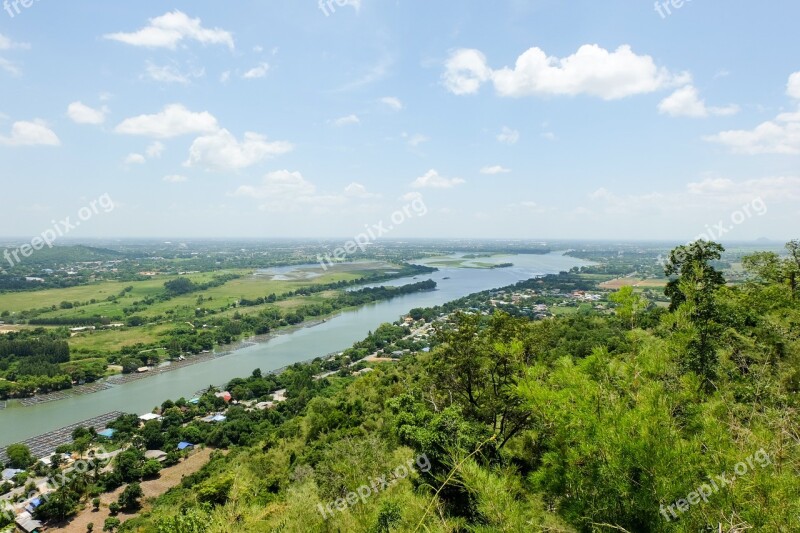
591, 70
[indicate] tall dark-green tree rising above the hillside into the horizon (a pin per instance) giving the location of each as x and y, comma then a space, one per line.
693, 293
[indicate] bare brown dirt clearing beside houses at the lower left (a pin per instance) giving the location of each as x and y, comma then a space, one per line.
170, 477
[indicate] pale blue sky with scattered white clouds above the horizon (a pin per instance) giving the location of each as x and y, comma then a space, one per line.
540, 119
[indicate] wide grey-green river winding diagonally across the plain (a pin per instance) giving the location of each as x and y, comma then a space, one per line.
19, 423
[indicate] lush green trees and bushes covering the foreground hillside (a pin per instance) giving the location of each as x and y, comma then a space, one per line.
647, 420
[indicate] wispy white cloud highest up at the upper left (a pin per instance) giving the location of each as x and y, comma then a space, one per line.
170, 29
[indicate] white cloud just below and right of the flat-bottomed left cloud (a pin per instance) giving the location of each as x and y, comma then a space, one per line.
221, 150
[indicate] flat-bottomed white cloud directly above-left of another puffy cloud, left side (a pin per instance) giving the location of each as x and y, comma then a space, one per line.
173, 121
